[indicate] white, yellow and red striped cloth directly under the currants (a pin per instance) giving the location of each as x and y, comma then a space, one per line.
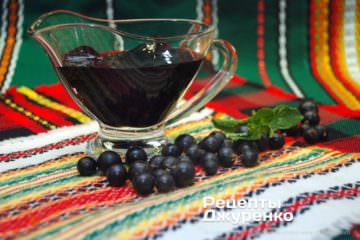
43, 197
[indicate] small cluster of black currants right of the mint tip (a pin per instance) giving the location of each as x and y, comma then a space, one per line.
311, 129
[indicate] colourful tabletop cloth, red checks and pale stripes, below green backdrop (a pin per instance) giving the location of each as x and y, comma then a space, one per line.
42, 196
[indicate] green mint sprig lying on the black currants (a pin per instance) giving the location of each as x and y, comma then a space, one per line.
265, 121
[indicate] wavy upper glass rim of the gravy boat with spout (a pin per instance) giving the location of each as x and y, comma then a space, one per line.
33, 31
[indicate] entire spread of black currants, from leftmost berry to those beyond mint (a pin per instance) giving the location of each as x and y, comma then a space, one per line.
174, 166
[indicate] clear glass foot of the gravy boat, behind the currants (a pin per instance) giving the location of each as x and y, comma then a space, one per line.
98, 145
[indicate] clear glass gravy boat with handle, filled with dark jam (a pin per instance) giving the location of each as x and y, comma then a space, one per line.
131, 75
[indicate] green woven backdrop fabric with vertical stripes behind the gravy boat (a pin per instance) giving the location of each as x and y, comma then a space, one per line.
310, 48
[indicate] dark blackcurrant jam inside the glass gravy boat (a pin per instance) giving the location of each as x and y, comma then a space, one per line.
135, 88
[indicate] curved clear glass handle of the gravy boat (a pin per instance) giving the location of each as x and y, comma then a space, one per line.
214, 85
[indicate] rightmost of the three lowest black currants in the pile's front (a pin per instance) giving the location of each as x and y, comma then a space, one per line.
183, 173
